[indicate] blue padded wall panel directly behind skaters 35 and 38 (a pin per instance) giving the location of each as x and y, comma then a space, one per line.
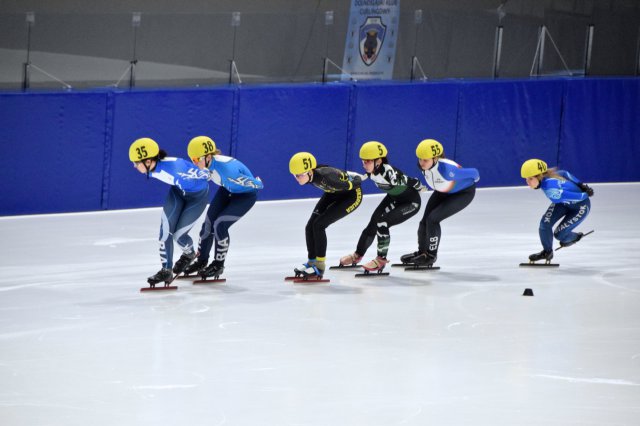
171, 118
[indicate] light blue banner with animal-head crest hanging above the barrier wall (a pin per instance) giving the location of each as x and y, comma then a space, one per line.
370, 48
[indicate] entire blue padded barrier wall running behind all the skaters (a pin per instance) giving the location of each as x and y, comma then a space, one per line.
68, 151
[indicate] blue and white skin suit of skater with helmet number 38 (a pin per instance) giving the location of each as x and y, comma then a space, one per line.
238, 192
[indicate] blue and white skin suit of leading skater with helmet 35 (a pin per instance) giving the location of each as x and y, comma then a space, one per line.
185, 202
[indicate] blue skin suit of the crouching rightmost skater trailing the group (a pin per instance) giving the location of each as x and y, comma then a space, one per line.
568, 203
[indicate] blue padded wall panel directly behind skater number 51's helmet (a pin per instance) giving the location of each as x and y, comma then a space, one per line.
276, 122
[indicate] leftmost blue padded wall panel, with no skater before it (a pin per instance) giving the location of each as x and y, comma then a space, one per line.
52, 148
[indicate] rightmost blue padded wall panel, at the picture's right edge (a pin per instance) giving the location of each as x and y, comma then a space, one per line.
601, 130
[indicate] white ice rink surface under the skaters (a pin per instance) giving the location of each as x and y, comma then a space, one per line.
81, 345
